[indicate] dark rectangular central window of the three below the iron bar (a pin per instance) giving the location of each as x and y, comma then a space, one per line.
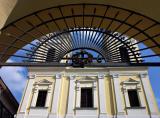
86, 97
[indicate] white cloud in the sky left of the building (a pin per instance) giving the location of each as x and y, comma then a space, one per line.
14, 78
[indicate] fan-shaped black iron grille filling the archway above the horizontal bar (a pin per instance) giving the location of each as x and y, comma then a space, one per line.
103, 28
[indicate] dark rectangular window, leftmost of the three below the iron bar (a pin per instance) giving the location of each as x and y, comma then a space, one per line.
41, 98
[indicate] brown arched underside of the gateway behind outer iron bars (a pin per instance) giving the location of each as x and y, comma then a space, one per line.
80, 16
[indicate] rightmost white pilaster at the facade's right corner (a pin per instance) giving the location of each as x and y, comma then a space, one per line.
149, 95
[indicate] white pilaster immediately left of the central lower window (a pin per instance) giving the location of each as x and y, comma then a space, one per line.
71, 98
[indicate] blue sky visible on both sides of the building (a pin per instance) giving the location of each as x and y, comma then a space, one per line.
15, 77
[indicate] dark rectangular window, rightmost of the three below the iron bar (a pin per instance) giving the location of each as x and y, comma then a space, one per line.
133, 98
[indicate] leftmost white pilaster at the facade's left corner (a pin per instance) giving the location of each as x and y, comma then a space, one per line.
26, 97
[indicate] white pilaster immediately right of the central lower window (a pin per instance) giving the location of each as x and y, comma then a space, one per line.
102, 98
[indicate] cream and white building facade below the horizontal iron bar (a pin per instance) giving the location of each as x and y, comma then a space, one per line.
67, 92
